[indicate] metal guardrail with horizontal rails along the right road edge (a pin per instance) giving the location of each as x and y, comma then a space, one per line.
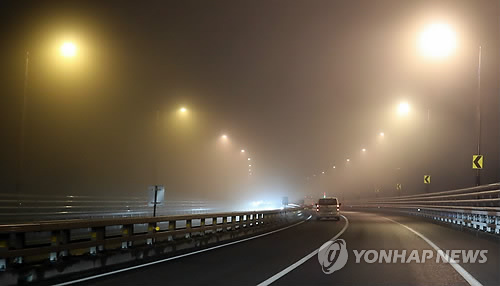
476, 207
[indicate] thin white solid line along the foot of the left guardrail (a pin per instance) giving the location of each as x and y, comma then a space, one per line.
176, 257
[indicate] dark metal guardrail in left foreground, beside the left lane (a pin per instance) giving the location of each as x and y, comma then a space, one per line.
52, 241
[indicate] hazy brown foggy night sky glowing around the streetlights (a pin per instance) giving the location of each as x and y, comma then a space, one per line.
301, 85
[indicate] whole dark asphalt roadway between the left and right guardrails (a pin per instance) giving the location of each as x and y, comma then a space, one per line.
254, 261
